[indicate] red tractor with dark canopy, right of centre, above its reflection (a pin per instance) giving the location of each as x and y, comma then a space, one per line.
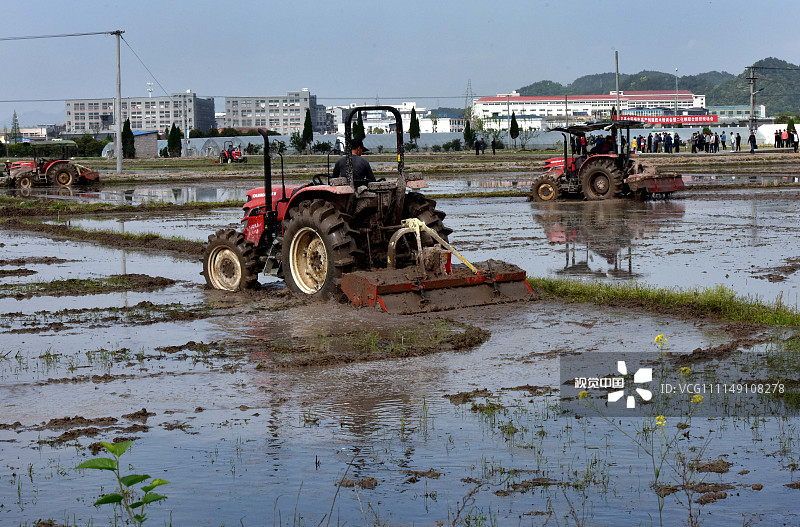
600, 176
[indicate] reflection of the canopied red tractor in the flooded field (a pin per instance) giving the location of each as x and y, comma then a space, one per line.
598, 236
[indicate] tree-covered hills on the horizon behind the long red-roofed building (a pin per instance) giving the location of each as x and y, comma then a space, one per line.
781, 93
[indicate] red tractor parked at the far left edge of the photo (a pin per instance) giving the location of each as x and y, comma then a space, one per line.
56, 172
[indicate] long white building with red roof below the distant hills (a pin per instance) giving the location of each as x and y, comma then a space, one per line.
585, 106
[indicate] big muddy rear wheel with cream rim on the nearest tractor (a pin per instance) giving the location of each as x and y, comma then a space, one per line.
318, 246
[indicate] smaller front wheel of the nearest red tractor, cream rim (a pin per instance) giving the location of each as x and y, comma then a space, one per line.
230, 262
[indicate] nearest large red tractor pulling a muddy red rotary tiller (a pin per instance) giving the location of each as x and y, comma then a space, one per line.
373, 242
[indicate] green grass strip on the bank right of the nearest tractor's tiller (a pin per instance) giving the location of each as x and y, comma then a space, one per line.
719, 302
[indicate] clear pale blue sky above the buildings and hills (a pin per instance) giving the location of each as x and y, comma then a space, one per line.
355, 51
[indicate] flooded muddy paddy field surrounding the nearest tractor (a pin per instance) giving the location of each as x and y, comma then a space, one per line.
207, 387
